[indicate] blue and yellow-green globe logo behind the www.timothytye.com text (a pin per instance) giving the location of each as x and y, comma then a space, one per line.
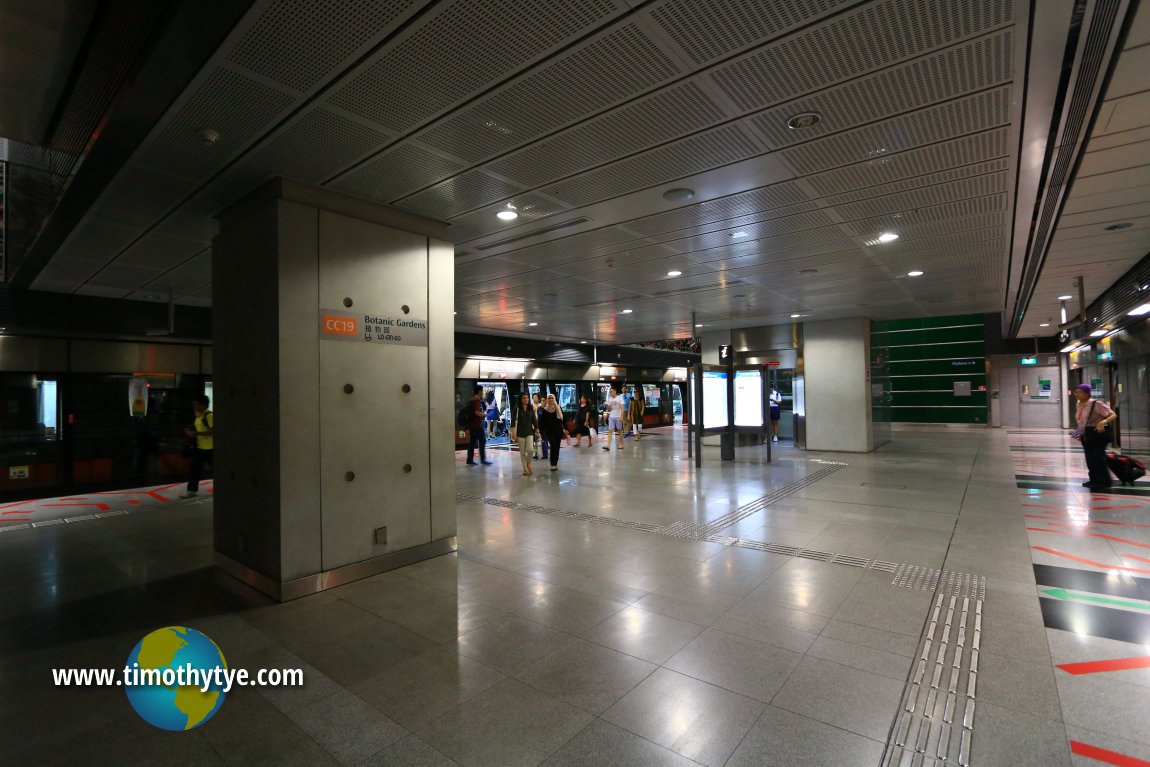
172, 679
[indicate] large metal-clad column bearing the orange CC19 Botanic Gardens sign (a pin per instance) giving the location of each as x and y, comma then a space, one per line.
333, 361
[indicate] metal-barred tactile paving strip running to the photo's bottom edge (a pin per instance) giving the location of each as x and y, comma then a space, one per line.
936, 724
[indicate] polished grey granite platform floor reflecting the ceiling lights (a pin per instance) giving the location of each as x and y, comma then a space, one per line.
627, 610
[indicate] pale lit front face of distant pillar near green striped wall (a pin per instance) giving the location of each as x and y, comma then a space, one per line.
837, 358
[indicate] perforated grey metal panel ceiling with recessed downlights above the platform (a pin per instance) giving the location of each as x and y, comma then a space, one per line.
581, 114
